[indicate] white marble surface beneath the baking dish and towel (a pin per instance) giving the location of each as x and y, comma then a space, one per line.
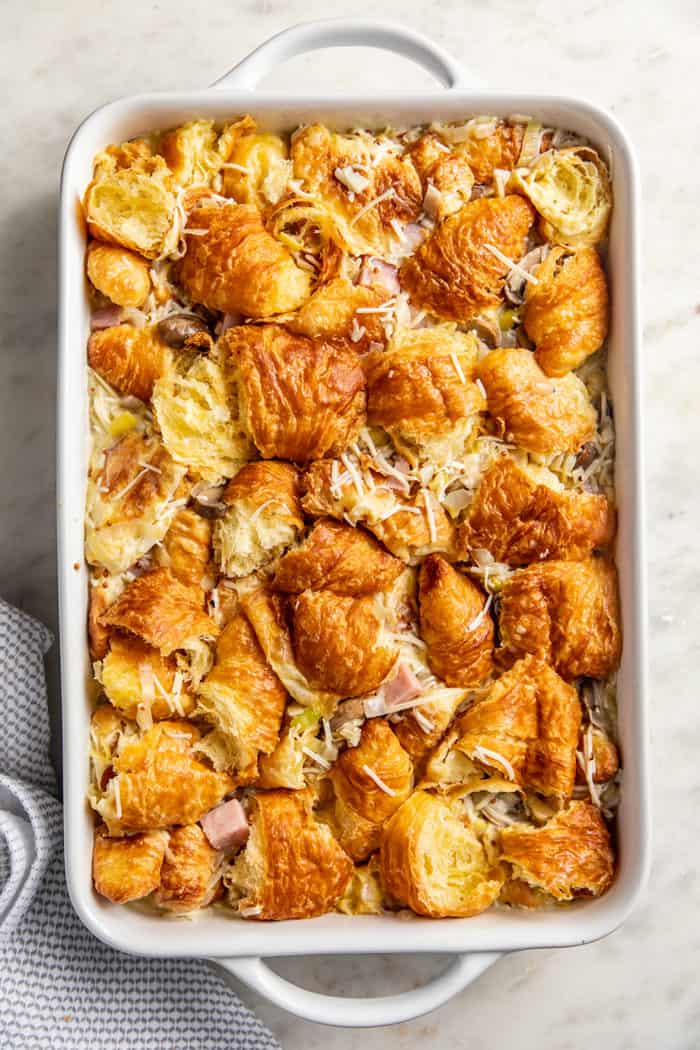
638, 990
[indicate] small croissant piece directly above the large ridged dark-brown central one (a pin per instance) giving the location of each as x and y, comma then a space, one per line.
331, 313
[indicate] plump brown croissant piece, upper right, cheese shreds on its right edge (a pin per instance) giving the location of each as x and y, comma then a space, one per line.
454, 274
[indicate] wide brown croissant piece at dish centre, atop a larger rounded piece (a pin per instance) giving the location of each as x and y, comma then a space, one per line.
337, 558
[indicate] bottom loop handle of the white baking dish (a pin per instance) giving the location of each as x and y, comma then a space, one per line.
359, 1013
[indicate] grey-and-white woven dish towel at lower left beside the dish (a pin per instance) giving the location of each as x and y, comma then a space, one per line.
59, 986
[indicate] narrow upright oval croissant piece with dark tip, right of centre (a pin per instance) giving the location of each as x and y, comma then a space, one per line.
456, 624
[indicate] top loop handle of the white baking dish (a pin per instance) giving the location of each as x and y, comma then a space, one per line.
346, 33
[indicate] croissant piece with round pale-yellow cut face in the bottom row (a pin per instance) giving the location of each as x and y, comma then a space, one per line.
434, 864
